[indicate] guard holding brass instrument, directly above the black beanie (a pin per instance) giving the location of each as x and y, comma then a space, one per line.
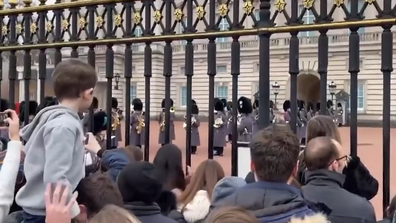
137, 124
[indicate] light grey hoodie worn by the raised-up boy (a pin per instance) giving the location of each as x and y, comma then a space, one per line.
54, 152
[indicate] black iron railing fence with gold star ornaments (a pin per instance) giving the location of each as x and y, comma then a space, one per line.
28, 32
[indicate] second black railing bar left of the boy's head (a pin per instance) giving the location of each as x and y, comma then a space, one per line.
27, 62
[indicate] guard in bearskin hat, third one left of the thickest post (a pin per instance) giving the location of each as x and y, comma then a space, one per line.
195, 122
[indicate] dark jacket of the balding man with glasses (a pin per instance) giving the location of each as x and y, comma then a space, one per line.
324, 186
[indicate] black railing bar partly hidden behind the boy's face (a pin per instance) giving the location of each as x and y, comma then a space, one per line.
91, 54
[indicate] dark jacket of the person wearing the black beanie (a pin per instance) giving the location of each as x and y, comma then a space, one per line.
147, 213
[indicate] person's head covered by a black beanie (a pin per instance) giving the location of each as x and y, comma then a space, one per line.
140, 181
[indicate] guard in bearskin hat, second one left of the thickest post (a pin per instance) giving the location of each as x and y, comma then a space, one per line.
220, 128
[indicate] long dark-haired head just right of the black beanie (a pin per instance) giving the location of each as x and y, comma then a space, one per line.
169, 161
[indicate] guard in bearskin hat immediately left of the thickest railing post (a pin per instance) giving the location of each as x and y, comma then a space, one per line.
245, 121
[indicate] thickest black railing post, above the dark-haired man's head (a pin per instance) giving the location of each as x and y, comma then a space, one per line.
264, 59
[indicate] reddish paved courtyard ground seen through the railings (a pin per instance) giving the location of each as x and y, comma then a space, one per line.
369, 150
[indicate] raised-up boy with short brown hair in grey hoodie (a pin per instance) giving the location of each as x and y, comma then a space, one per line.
55, 140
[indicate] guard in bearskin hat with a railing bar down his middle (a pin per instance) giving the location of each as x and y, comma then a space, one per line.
161, 121
